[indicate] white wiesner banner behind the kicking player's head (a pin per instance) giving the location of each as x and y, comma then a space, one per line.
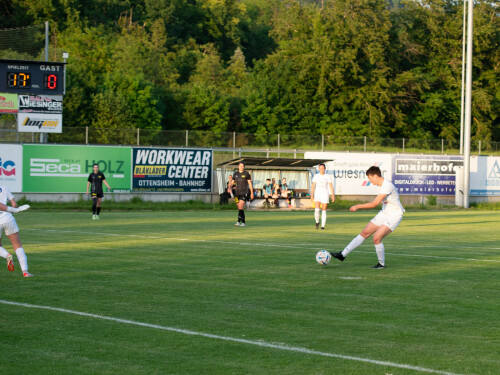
348, 170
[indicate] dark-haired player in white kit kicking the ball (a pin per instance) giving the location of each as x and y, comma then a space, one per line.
384, 223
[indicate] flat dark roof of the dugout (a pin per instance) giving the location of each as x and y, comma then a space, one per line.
274, 163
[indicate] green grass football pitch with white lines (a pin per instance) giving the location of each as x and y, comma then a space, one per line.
189, 293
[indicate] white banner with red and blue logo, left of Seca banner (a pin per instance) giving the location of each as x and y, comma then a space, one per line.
11, 167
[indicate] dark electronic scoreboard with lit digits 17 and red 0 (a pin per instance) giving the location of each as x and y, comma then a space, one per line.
32, 77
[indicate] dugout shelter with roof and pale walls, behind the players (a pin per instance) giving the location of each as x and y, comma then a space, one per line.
298, 174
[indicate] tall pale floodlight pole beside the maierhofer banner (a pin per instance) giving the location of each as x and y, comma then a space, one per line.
468, 105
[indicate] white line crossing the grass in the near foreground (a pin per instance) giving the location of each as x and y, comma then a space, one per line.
260, 343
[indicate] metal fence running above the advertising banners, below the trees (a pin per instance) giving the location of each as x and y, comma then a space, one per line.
284, 145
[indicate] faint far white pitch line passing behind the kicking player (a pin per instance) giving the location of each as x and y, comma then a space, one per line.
266, 244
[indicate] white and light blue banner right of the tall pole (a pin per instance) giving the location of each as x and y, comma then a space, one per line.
485, 176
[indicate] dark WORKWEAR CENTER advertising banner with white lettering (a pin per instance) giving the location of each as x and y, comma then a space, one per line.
172, 170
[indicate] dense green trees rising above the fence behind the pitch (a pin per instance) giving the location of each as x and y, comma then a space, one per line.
374, 68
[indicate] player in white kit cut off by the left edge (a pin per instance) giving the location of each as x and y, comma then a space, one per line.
9, 226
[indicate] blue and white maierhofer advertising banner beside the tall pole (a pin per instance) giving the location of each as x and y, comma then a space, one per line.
426, 175
